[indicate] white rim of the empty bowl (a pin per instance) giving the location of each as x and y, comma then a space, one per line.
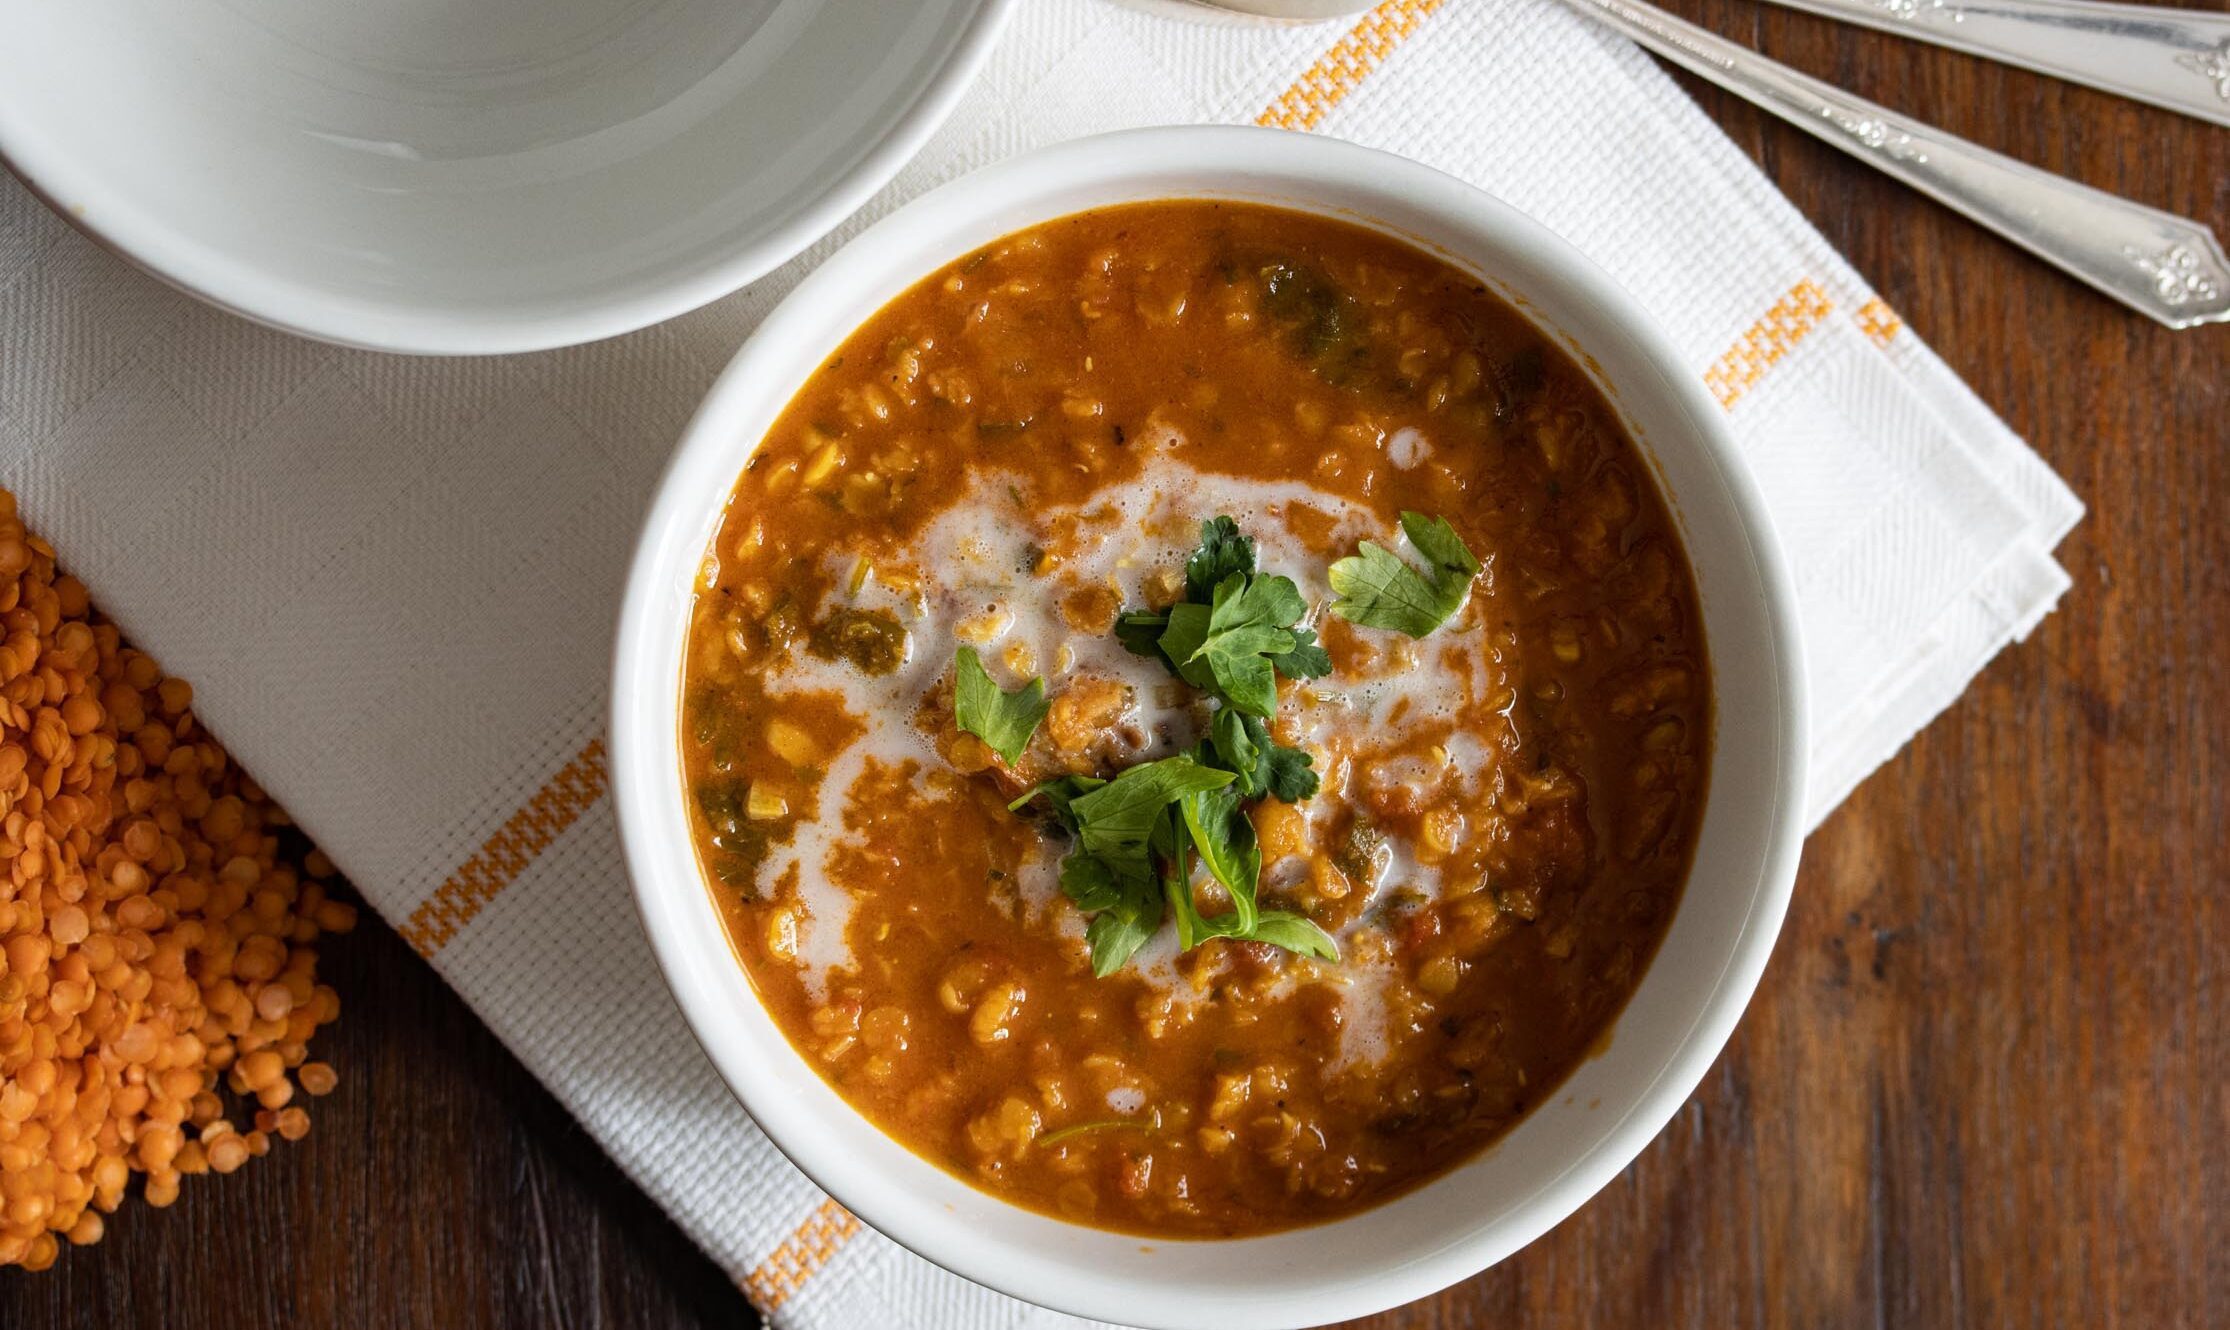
126, 227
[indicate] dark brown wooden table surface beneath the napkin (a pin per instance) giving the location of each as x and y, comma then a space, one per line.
1981, 1086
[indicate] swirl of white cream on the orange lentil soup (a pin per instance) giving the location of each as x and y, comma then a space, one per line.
973, 579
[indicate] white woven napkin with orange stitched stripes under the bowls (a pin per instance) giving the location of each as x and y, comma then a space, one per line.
394, 581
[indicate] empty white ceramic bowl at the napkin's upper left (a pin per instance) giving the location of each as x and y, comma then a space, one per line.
472, 177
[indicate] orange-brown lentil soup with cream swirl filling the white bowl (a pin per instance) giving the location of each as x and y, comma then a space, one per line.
1016, 459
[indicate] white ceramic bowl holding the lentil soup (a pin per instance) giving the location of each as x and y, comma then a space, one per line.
1685, 1008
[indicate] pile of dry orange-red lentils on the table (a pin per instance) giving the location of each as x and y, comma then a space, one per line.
153, 943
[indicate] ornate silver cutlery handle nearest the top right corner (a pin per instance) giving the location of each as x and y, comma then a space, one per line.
2175, 59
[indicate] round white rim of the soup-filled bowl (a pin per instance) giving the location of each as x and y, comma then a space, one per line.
1174, 151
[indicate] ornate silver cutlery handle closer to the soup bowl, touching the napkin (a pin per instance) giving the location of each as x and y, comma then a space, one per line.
2155, 262
